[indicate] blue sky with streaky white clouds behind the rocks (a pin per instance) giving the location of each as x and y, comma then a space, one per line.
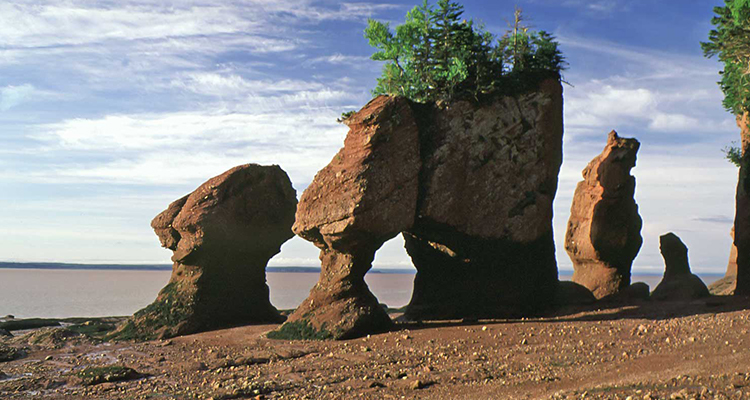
110, 110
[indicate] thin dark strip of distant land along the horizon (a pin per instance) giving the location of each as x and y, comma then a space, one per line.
168, 267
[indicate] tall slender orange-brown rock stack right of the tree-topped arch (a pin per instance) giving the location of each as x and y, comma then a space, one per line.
603, 235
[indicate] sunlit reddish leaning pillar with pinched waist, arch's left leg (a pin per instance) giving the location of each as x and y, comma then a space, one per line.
365, 196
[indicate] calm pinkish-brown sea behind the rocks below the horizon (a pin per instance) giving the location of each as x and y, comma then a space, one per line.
54, 293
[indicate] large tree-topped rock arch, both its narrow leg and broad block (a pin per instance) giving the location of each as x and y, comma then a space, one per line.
470, 186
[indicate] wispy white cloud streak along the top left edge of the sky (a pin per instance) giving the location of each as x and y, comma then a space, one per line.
77, 22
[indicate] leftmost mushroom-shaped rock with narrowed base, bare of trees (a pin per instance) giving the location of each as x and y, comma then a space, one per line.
222, 236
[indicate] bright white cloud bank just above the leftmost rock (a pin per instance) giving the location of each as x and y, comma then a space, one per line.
185, 147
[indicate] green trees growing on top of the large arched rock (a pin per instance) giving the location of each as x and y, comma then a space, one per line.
437, 55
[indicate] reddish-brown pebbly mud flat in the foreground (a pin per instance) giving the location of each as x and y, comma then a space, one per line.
646, 351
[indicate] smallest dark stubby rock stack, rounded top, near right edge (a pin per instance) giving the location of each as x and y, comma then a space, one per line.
678, 282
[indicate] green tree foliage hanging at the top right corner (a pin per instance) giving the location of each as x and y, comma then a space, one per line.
730, 42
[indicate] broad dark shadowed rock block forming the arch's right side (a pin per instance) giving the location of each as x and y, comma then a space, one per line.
482, 242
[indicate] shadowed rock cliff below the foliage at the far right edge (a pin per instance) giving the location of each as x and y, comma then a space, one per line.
742, 207
